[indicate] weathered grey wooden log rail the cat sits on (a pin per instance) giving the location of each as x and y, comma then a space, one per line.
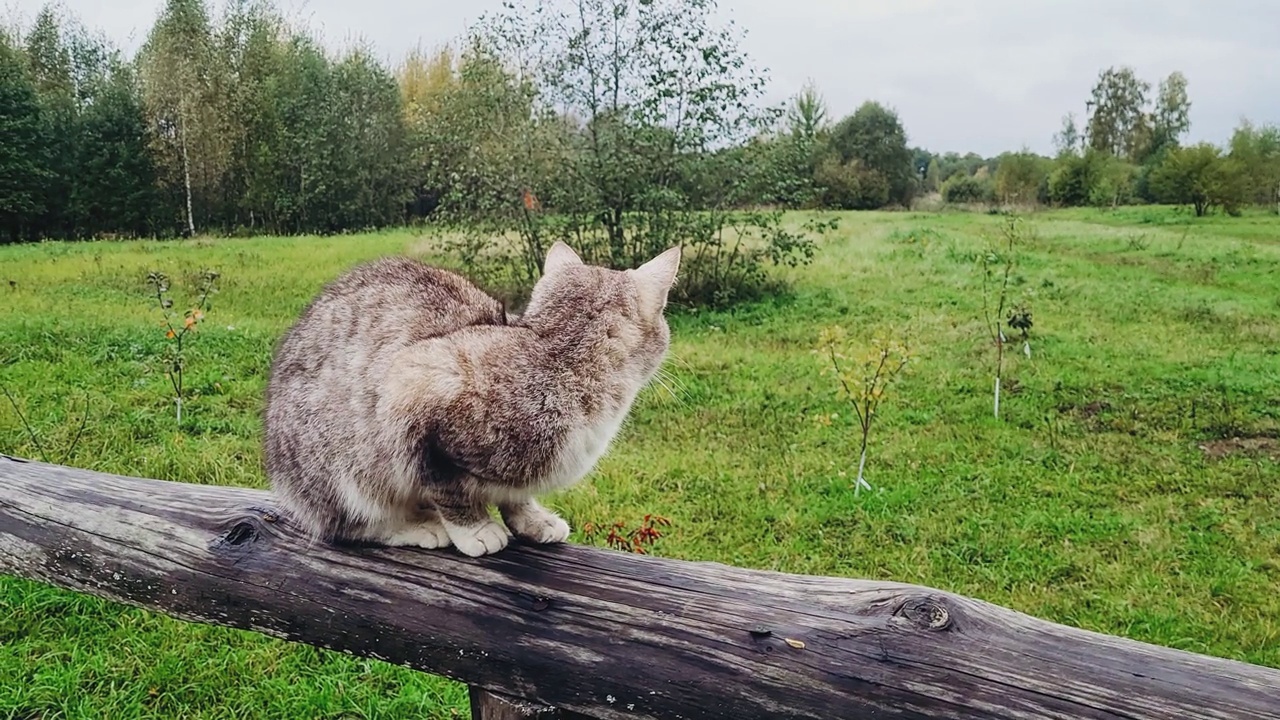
606, 635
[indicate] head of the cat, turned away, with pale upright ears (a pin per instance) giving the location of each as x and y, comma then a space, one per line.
616, 316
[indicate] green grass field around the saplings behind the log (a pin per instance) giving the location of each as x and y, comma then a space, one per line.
1131, 487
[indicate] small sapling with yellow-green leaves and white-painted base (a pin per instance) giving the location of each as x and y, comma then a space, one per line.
863, 380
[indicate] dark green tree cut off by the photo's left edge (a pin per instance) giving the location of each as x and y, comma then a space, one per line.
22, 171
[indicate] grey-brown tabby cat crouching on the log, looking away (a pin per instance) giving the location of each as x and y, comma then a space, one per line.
405, 400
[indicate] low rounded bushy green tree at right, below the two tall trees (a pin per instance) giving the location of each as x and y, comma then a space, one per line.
1201, 177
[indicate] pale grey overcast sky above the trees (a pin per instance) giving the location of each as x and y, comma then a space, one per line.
972, 75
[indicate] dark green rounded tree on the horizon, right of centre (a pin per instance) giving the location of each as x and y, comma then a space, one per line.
875, 138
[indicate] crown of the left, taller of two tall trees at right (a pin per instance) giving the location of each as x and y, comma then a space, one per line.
1118, 122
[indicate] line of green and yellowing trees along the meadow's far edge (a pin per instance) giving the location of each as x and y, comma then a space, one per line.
619, 124
